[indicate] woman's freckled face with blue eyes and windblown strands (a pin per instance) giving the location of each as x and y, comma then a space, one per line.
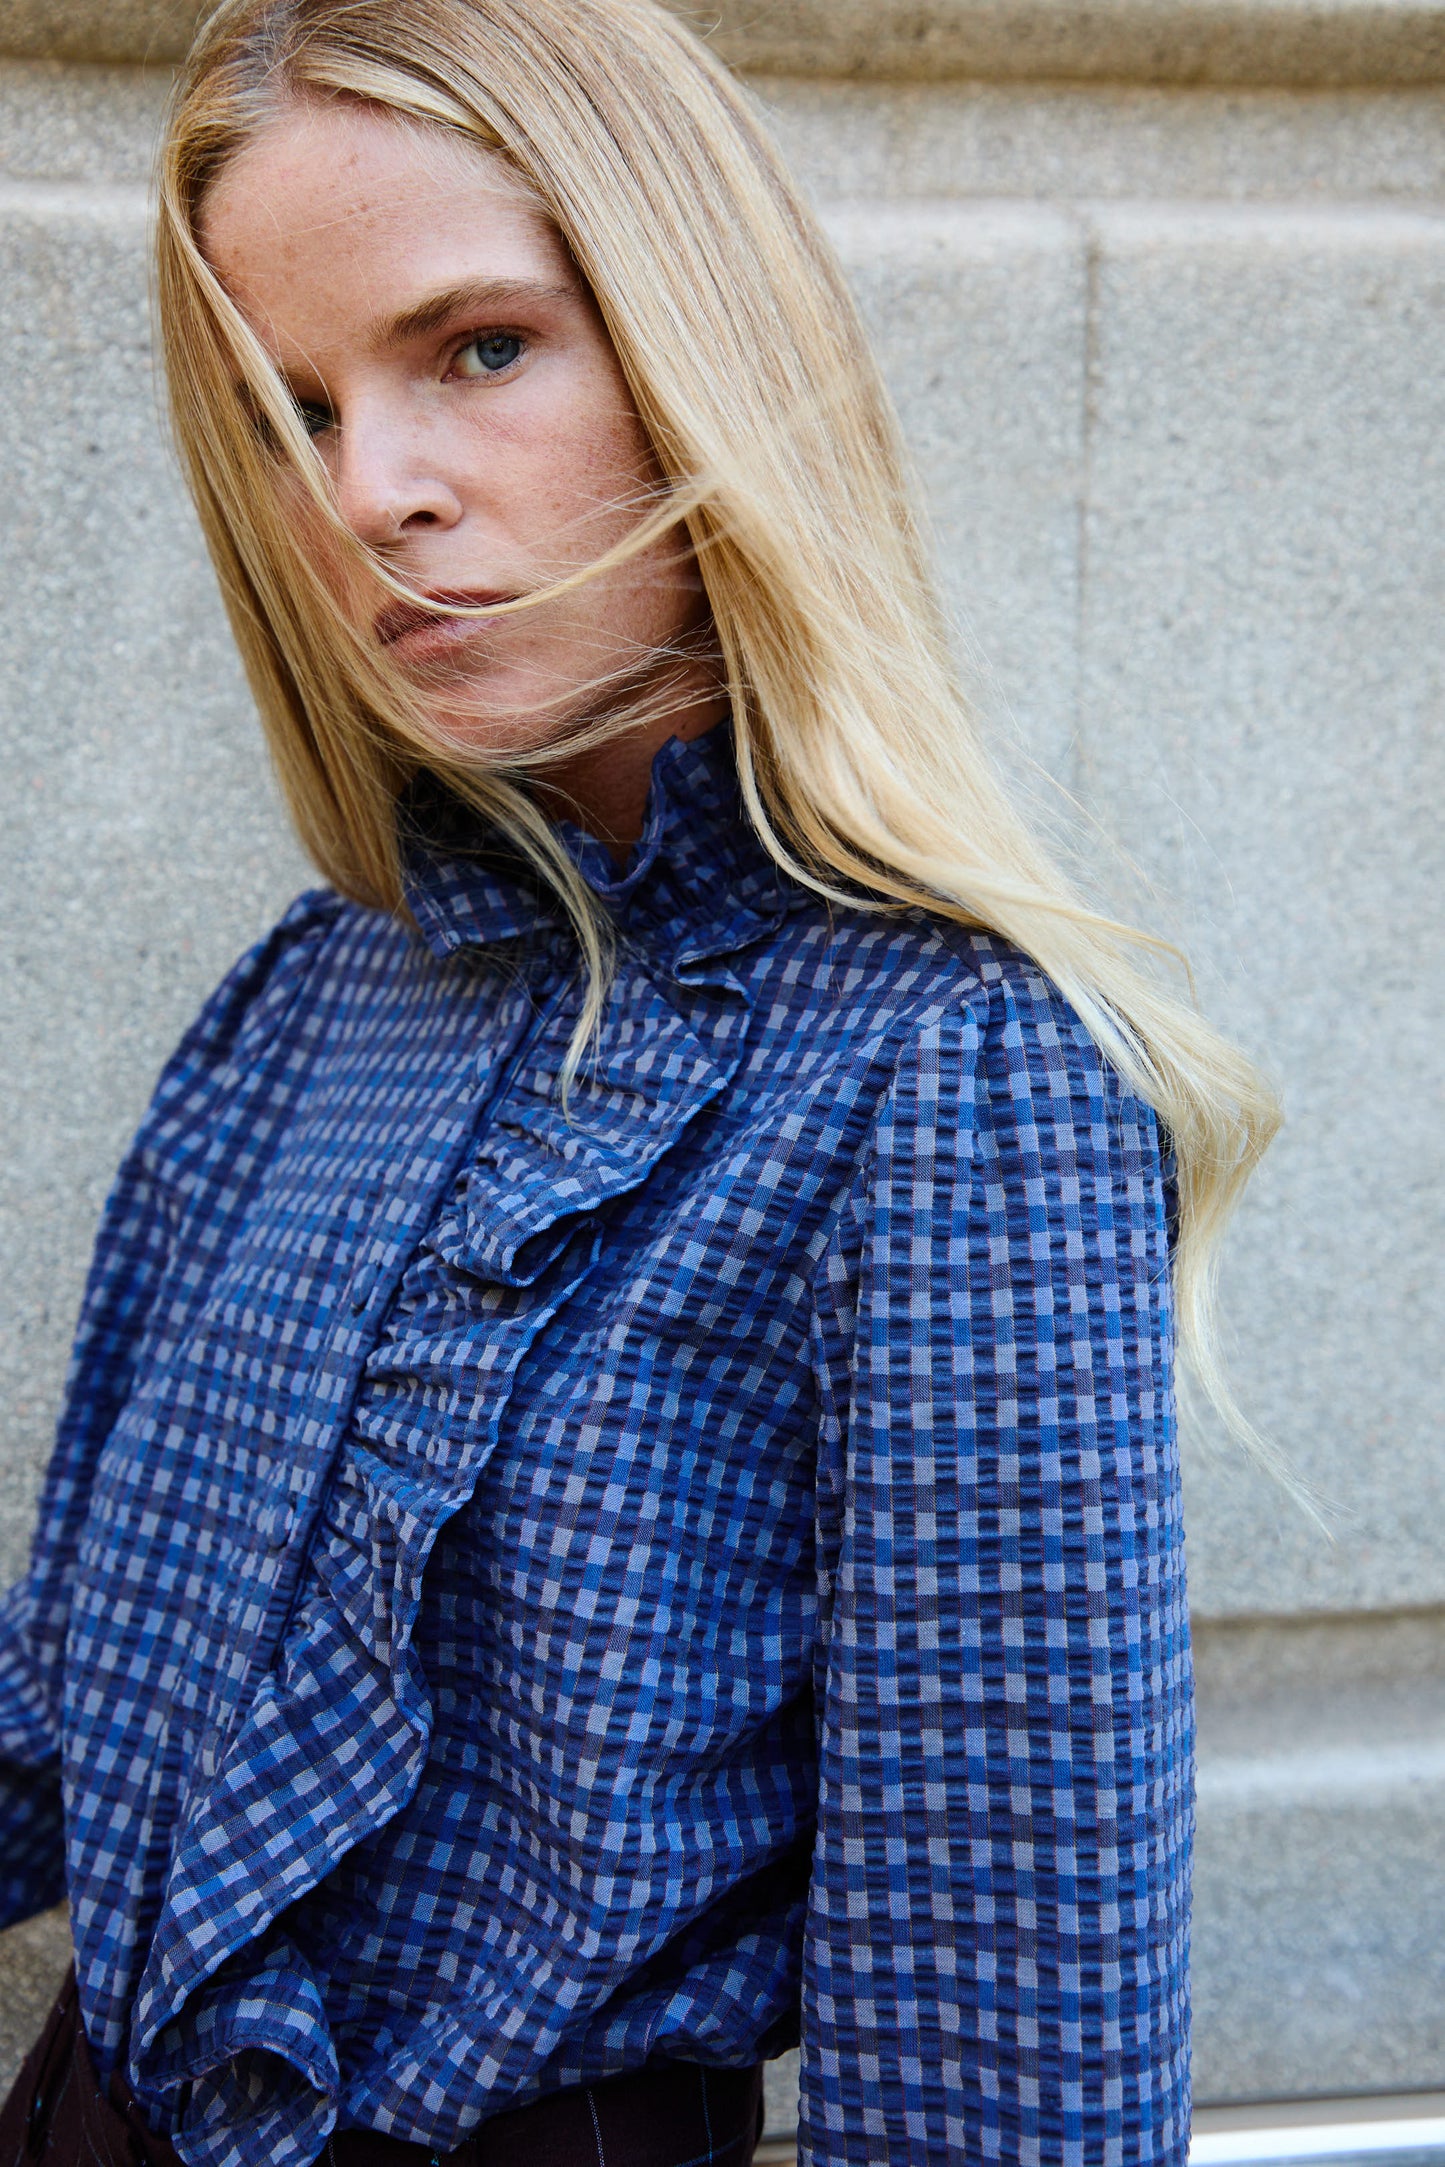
469, 406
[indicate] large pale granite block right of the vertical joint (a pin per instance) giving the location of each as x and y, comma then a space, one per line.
1262, 682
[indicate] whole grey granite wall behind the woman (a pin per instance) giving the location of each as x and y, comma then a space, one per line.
1162, 296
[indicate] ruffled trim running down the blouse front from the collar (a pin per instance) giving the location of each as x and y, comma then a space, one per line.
231, 2040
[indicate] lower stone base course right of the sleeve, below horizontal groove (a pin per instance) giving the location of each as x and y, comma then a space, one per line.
1320, 1899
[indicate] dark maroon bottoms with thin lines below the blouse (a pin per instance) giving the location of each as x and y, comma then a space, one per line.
671, 2116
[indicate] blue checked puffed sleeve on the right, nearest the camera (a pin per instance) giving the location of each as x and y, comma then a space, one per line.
998, 1932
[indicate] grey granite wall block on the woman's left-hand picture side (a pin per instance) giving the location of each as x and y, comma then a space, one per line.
142, 842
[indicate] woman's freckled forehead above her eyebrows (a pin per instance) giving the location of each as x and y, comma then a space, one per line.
337, 218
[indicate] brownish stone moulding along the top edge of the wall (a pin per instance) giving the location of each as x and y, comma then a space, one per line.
1297, 42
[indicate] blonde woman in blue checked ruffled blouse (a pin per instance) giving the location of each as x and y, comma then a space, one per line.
619, 1498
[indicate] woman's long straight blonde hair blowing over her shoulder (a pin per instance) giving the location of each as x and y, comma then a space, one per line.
861, 764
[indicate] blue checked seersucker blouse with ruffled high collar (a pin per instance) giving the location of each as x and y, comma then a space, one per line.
532, 1589
